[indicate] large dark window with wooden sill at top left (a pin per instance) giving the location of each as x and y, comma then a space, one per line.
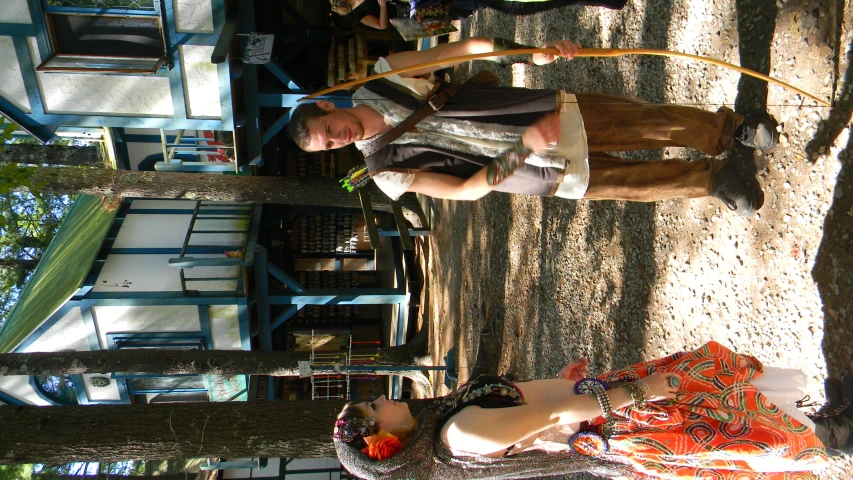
121, 36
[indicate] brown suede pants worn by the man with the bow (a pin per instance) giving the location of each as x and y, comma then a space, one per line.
616, 123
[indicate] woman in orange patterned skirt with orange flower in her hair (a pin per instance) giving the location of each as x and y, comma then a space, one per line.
703, 414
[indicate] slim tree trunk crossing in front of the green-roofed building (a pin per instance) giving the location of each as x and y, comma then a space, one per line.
190, 362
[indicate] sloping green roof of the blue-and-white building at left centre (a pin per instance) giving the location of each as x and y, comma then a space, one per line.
62, 269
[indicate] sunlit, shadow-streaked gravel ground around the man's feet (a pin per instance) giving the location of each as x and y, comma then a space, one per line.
549, 280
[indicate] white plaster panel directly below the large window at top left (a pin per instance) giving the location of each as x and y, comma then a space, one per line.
93, 94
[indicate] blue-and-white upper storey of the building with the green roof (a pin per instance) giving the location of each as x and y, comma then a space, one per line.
106, 282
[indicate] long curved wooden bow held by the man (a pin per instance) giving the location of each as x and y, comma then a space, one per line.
584, 52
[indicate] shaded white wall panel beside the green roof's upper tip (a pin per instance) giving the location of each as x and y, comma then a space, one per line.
153, 231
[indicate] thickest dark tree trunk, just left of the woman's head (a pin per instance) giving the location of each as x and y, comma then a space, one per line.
56, 435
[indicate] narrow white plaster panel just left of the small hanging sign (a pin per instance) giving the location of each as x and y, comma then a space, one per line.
201, 82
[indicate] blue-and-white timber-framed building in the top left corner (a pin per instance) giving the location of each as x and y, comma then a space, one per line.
167, 65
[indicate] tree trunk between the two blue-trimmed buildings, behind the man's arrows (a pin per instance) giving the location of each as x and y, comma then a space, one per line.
203, 186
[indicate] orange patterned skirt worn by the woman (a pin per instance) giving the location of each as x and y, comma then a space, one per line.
719, 427
